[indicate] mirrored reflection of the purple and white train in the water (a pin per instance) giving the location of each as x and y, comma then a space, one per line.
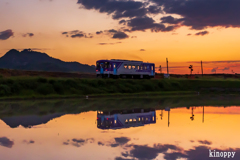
125, 118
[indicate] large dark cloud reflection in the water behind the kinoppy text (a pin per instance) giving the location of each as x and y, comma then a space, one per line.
144, 152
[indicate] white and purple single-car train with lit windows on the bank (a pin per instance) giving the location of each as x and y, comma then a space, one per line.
116, 68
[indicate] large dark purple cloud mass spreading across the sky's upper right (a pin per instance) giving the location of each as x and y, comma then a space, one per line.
196, 14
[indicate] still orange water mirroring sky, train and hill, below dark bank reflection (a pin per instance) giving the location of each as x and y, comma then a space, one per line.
171, 133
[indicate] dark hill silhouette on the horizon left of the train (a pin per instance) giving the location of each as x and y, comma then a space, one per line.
37, 61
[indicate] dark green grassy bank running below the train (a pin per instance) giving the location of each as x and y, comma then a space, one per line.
30, 87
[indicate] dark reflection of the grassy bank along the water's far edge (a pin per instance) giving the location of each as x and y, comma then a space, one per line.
44, 107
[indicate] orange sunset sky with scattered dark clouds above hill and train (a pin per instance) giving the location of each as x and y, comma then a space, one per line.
184, 31
